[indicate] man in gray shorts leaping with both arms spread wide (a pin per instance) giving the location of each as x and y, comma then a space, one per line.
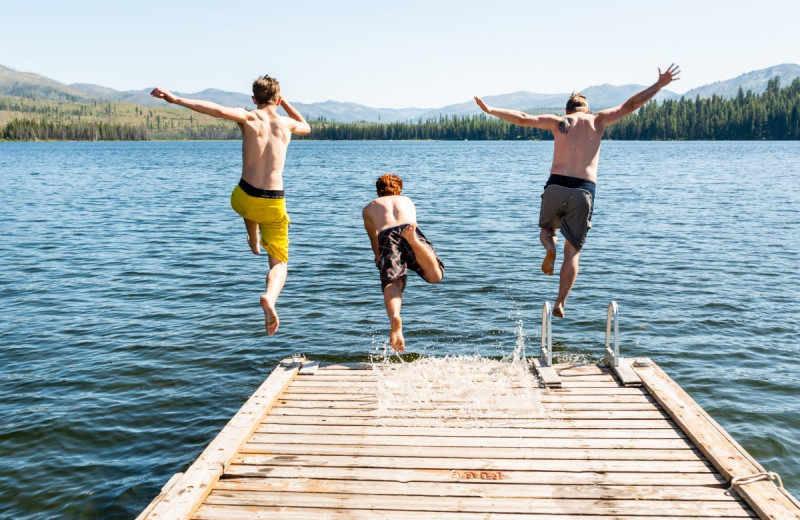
568, 197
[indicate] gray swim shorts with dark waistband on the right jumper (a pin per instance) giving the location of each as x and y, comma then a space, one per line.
569, 209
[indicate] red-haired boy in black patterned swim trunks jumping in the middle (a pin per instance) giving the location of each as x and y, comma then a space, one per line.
399, 245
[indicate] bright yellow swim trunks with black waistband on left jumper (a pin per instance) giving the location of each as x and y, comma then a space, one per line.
268, 208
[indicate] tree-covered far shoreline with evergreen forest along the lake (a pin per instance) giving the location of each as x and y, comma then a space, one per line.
772, 116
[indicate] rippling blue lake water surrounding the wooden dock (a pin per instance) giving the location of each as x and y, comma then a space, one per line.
131, 332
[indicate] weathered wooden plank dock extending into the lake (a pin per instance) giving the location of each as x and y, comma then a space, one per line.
314, 442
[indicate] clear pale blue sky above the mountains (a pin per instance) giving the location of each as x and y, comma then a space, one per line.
409, 53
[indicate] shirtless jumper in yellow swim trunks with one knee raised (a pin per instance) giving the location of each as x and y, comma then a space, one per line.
259, 196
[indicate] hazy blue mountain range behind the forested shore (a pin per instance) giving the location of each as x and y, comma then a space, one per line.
30, 85
